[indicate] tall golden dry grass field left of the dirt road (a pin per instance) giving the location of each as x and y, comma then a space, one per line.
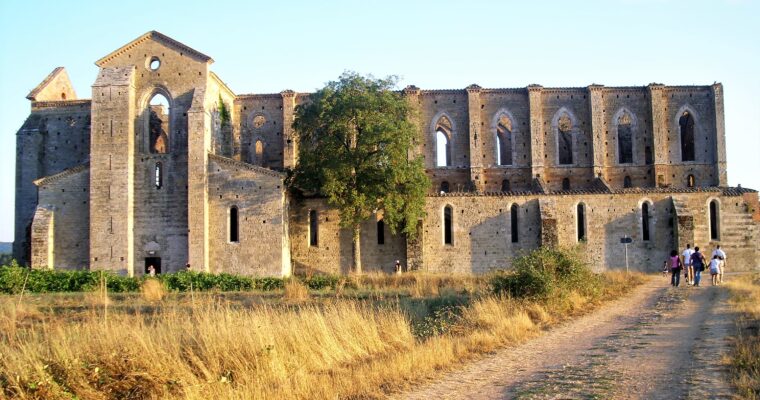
336, 349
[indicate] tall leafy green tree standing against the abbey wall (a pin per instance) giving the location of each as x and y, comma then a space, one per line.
355, 139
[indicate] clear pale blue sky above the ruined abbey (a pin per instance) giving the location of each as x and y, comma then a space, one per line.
300, 45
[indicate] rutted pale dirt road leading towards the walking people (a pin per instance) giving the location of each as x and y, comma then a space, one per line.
657, 343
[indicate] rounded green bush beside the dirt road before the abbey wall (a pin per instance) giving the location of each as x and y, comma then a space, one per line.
544, 273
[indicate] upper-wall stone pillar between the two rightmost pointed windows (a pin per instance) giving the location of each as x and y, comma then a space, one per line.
658, 102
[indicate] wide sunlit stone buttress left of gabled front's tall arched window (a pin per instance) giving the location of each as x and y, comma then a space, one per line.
112, 170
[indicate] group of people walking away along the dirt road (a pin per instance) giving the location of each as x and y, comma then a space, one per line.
693, 263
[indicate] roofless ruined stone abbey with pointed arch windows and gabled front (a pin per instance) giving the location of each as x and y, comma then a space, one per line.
120, 181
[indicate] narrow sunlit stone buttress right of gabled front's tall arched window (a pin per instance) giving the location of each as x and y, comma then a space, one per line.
199, 145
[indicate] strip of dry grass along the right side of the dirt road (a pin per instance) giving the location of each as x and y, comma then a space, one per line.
745, 355
